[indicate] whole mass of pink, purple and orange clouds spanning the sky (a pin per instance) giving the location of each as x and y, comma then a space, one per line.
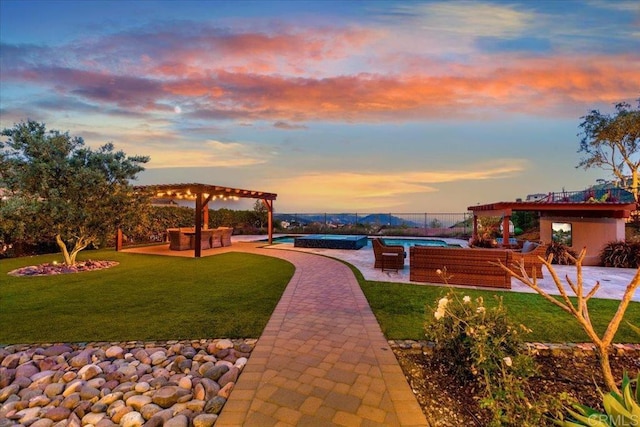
288, 77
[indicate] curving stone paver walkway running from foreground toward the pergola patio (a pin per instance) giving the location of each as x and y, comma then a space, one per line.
322, 359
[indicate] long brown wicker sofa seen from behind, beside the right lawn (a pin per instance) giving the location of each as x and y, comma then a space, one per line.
464, 266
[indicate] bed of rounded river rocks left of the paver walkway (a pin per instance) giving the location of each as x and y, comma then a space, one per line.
172, 383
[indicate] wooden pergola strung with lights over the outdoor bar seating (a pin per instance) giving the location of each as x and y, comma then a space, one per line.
202, 194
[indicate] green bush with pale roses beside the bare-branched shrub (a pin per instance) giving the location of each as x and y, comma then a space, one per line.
479, 343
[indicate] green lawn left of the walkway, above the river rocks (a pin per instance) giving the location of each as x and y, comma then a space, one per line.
145, 297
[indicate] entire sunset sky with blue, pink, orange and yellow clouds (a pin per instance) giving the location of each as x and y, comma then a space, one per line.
361, 106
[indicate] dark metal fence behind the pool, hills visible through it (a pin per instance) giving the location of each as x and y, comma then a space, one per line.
397, 224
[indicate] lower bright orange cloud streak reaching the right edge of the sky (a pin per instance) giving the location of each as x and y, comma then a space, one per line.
522, 85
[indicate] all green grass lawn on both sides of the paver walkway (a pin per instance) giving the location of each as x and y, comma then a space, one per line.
230, 295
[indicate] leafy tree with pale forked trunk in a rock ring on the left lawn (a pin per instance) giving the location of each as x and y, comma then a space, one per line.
74, 195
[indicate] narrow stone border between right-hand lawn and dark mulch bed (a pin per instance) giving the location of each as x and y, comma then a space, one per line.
543, 349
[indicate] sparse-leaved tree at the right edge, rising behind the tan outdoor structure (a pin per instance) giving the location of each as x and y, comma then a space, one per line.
612, 142
